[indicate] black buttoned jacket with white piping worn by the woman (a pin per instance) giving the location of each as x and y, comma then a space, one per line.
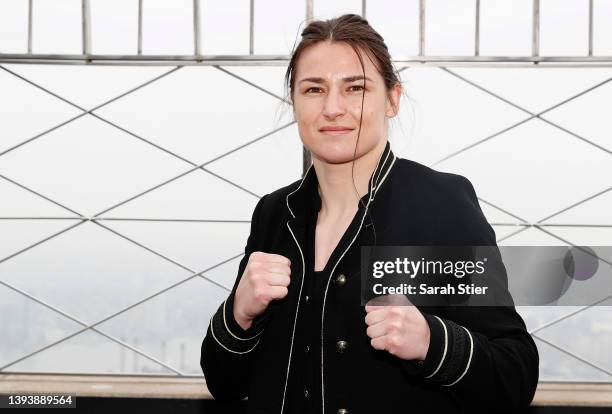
479, 359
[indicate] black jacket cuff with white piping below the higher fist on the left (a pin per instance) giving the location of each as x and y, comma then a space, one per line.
230, 335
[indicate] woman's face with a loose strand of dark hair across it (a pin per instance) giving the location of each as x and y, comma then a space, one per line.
328, 94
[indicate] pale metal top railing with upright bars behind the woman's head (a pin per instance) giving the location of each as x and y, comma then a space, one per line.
197, 58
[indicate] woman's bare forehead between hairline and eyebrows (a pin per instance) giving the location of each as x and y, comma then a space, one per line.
330, 59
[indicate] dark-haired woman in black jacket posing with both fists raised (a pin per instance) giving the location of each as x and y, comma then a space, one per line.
292, 335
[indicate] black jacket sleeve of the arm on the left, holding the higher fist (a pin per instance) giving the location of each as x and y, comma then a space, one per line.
228, 349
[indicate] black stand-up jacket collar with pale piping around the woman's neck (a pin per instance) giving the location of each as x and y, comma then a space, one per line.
306, 195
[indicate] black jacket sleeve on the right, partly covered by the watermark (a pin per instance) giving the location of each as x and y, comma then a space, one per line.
483, 355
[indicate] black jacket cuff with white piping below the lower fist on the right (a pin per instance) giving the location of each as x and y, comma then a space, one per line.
450, 352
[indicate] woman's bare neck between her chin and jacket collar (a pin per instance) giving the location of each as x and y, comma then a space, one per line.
336, 186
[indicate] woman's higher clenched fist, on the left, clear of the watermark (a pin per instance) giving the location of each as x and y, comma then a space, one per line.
265, 277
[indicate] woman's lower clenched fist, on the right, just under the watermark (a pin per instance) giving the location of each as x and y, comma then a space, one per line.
397, 327
